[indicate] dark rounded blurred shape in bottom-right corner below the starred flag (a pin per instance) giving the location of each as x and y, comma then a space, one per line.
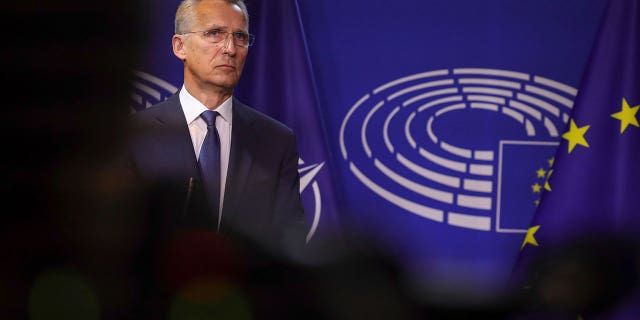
588, 276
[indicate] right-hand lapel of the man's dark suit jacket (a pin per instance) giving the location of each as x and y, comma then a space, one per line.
240, 158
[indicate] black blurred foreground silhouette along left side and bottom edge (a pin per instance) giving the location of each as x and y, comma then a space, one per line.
77, 242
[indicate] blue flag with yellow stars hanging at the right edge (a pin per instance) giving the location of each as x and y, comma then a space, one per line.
582, 239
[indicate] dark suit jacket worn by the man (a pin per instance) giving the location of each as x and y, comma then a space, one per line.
262, 197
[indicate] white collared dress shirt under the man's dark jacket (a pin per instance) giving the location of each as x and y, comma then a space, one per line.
192, 109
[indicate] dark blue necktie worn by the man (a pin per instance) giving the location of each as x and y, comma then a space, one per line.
209, 162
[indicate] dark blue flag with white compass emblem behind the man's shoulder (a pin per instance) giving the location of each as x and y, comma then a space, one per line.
278, 80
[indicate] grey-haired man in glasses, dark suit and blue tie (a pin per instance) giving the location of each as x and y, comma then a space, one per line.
258, 197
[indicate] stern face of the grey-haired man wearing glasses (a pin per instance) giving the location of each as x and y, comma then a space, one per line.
219, 64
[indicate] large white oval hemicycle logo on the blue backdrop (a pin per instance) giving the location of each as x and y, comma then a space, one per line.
458, 146
